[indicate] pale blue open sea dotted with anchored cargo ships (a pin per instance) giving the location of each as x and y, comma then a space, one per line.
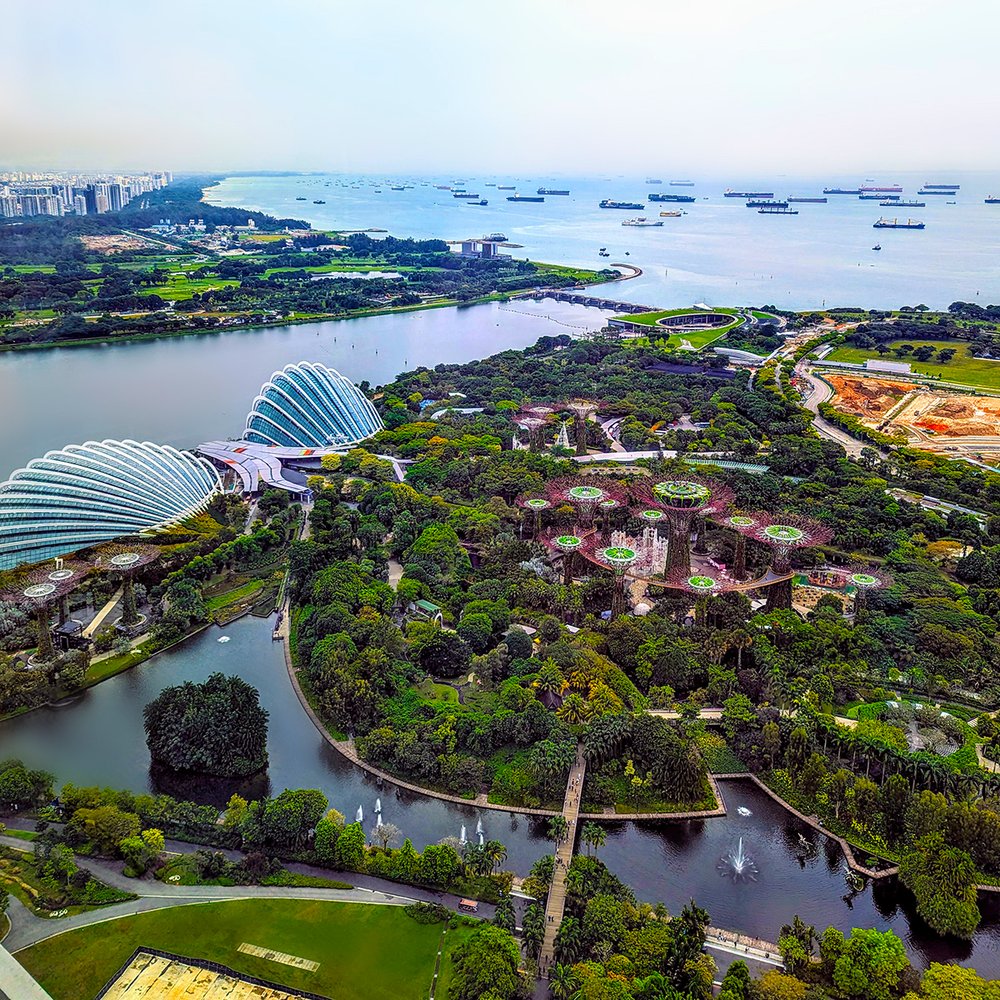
720, 252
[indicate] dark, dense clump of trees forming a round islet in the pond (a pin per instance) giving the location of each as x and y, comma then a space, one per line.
216, 728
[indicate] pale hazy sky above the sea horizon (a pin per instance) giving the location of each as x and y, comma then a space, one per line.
561, 86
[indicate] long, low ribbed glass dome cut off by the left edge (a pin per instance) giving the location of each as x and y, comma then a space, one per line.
94, 492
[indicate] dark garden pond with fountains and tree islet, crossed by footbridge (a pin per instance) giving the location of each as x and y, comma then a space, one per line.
99, 739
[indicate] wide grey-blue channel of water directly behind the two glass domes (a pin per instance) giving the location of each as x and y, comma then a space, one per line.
186, 390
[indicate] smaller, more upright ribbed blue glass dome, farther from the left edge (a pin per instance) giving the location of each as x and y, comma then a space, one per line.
308, 405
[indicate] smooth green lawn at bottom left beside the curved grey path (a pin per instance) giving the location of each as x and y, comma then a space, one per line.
364, 952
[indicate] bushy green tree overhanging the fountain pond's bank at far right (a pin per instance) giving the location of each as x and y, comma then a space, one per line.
943, 880
